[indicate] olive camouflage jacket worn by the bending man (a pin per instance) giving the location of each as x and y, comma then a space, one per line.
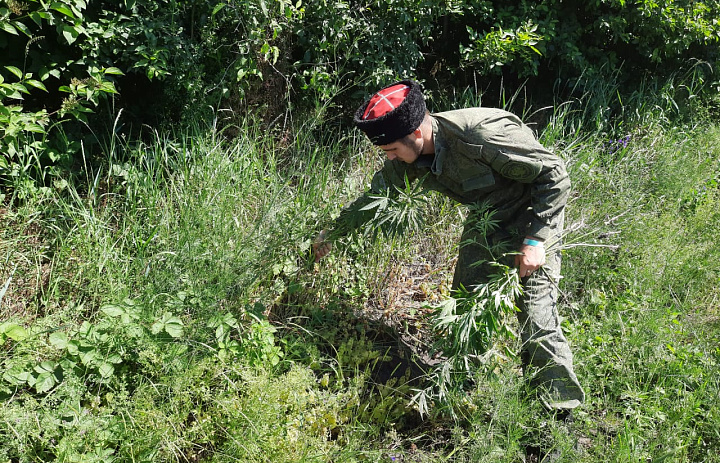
486, 155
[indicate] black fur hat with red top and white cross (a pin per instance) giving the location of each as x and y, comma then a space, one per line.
395, 123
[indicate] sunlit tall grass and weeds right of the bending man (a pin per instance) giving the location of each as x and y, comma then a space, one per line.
639, 280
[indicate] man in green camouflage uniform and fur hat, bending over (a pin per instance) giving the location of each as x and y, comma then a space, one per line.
487, 156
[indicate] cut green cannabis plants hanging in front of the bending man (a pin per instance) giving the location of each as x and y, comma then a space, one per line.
469, 321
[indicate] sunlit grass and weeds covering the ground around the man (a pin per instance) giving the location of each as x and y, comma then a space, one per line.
167, 308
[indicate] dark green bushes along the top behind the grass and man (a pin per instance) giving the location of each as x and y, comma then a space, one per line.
64, 59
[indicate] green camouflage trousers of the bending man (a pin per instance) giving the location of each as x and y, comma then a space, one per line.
545, 353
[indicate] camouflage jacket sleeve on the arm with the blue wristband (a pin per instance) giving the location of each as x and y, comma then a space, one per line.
514, 153
